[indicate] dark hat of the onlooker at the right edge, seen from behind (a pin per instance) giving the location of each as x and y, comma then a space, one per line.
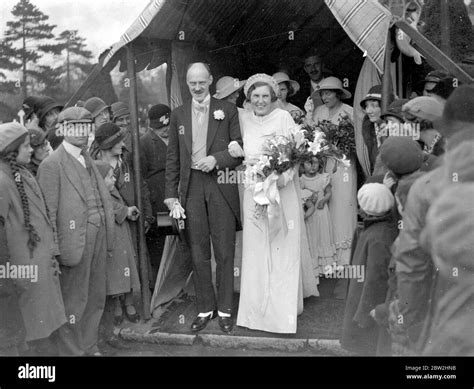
457, 111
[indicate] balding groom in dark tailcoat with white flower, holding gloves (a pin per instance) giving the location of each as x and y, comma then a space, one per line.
200, 132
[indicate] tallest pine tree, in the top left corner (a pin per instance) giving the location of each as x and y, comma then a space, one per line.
32, 34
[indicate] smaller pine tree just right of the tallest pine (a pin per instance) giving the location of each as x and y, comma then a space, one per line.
75, 48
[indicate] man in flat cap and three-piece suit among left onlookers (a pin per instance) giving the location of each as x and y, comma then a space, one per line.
82, 215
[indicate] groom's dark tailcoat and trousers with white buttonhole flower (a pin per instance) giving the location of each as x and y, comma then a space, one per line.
212, 206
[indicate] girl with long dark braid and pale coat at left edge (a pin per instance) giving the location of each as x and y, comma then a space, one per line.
29, 237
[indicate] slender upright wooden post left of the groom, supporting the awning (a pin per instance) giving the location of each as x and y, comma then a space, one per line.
143, 262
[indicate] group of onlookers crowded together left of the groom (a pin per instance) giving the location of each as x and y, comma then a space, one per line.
69, 213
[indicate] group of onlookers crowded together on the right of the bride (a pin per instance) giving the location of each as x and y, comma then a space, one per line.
416, 240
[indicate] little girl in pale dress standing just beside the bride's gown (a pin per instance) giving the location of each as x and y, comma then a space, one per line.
317, 219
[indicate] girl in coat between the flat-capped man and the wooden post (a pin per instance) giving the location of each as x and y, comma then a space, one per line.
122, 273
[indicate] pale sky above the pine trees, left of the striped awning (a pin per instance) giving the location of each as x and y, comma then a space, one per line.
101, 22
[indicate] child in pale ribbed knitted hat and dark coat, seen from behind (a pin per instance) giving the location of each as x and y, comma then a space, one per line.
372, 255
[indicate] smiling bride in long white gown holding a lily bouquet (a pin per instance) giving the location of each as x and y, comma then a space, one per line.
276, 265
